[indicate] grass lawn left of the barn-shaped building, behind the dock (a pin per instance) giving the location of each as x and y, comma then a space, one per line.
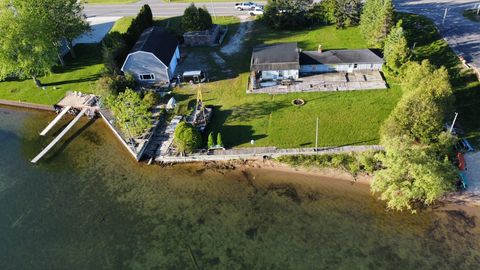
78, 74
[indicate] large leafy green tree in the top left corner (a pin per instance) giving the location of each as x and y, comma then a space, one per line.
27, 45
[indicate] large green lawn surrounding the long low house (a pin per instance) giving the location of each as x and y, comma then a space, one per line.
271, 120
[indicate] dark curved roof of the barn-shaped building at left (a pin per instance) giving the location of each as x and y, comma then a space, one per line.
159, 41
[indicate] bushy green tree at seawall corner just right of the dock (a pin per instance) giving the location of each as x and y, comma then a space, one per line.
132, 114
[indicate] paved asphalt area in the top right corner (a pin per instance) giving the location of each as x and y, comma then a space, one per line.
461, 34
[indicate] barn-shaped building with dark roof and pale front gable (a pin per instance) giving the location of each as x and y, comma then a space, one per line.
154, 57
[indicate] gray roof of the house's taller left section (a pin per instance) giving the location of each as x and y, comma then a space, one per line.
275, 57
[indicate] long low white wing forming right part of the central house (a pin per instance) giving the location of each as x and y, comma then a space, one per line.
339, 61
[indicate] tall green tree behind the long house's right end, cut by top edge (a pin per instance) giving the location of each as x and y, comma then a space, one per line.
376, 21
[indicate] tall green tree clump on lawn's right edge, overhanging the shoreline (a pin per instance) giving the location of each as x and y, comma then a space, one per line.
417, 166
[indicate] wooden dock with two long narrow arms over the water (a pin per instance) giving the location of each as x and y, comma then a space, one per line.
72, 102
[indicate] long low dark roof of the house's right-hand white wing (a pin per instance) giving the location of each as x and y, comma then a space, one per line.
364, 56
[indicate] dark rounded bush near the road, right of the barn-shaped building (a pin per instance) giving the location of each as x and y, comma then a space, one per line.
196, 19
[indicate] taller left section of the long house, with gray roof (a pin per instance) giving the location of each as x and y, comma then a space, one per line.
275, 62
